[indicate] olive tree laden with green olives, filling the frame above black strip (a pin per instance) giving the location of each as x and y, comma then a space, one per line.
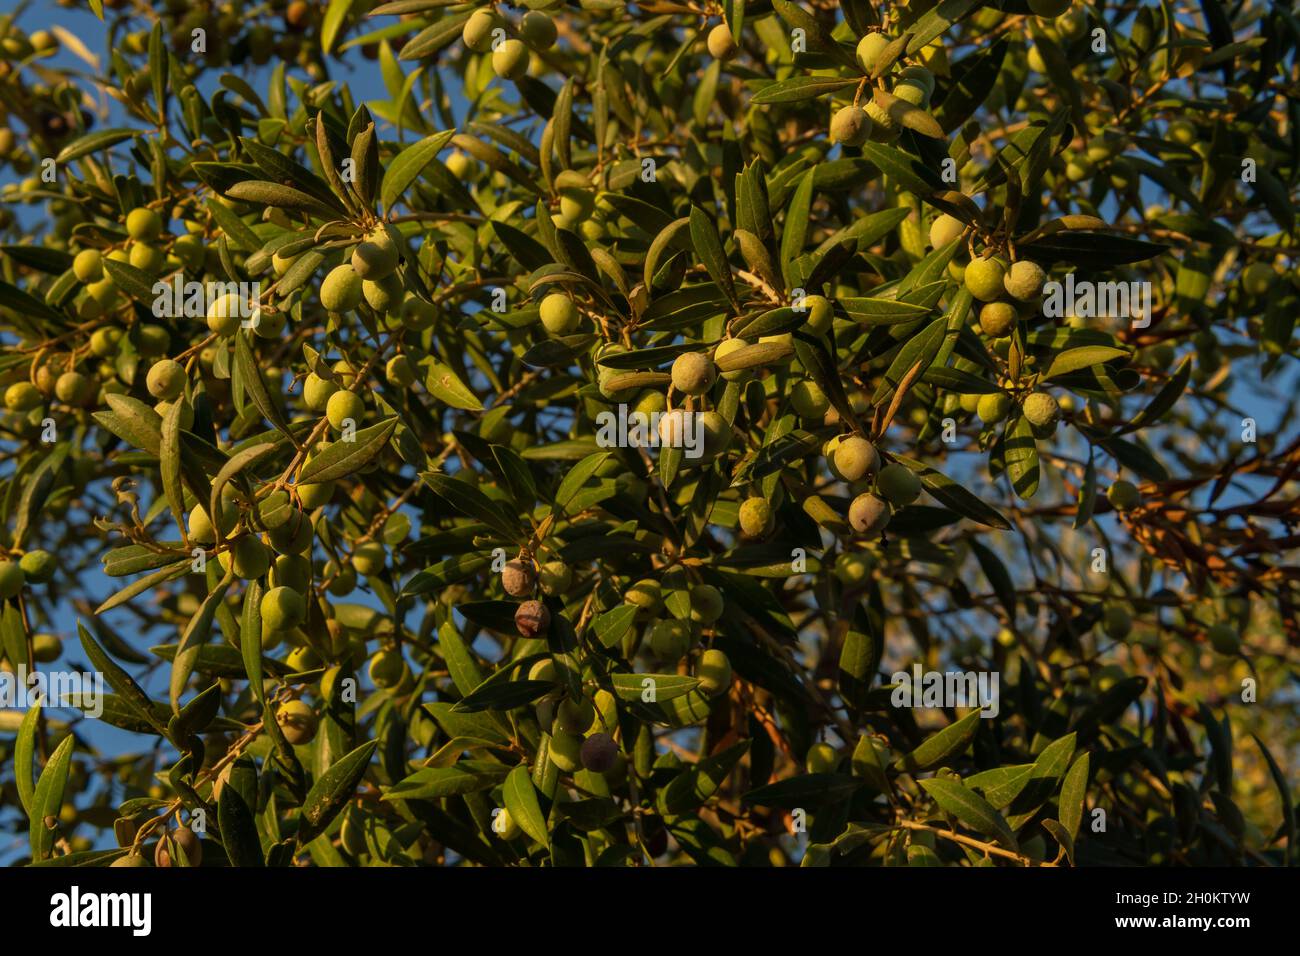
313, 321
